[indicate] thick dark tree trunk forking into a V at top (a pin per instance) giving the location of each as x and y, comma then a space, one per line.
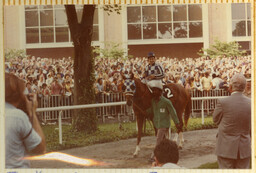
81, 34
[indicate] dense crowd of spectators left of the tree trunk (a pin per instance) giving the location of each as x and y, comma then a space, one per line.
43, 76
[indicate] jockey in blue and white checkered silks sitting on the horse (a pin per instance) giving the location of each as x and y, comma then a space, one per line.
154, 72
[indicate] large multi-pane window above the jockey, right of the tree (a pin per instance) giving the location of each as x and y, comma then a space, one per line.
164, 22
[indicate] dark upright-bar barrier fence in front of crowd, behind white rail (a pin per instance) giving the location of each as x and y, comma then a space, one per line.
200, 100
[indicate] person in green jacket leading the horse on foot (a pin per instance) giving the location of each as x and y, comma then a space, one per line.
162, 111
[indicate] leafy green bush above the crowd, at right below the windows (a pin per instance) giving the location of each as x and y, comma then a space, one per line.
222, 49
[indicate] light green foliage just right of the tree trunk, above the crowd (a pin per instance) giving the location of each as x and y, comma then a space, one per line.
112, 50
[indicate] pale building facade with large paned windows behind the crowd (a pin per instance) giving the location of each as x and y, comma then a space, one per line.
168, 30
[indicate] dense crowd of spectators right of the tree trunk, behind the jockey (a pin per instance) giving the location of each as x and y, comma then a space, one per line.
202, 73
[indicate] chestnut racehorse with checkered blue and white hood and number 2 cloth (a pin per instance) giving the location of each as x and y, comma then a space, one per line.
139, 96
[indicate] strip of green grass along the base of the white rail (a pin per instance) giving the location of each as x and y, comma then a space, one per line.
106, 133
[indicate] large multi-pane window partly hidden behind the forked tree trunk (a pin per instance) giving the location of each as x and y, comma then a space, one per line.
48, 24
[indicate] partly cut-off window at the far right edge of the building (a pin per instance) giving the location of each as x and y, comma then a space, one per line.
241, 19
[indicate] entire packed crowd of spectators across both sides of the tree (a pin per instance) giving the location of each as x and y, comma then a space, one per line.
46, 76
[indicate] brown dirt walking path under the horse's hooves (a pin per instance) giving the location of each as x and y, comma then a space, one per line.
197, 150
